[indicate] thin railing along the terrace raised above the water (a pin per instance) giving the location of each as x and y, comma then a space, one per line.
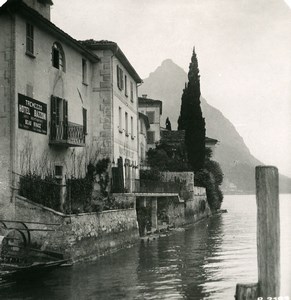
152, 186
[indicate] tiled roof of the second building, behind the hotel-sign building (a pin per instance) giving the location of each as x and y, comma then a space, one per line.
109, 45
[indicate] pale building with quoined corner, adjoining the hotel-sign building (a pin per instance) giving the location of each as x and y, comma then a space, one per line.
116, 86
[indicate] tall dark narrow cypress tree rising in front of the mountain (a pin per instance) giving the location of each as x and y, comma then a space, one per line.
191, 119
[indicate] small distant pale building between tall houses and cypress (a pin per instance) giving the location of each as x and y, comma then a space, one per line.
153, 110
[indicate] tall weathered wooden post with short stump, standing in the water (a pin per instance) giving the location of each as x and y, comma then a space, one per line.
268, 238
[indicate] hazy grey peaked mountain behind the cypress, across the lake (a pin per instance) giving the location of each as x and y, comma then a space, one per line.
166, 83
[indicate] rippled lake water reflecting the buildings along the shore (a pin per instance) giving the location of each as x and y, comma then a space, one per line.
205, 261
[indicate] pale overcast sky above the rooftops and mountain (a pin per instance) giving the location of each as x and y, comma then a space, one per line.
243, 49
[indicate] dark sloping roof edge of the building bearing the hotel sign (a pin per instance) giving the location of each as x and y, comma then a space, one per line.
19, 7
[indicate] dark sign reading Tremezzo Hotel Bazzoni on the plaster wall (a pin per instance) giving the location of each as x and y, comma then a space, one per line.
32, 114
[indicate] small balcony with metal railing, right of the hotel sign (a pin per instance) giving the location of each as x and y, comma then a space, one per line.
67, 134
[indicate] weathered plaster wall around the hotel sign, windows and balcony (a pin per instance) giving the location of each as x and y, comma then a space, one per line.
37, 78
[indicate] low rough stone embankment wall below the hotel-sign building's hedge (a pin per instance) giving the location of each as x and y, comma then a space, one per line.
81, 236
